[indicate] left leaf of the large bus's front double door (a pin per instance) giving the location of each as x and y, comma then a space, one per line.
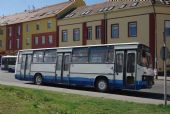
119, 69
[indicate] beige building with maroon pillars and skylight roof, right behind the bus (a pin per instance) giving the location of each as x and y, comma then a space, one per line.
119, 21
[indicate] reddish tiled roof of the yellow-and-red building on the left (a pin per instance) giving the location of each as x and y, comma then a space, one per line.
35, 14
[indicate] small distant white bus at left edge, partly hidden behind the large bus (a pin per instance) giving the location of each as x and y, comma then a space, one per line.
8, 63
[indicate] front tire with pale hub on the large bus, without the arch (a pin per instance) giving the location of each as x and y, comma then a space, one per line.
101, 85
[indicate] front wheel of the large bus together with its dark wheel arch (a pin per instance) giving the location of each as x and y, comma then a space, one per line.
101, 83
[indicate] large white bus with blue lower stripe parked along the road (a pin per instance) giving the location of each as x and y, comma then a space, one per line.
109, 66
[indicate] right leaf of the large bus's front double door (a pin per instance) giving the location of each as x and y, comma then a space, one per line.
131, 69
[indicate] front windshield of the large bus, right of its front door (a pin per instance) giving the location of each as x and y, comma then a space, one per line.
145, 59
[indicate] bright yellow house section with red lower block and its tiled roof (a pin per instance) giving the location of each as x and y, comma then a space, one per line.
39, 30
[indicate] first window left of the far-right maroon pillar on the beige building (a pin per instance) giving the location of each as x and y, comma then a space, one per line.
132, 29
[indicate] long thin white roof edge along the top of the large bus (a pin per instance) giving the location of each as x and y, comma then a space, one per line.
115, 44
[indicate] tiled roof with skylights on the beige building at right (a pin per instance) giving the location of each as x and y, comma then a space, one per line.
109, 6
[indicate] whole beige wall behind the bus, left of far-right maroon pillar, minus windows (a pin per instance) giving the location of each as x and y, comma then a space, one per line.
122, 17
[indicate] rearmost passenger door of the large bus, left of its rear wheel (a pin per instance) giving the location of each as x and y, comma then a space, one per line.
25, 66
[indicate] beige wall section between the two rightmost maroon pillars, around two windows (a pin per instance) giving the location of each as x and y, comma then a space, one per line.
142, 29
